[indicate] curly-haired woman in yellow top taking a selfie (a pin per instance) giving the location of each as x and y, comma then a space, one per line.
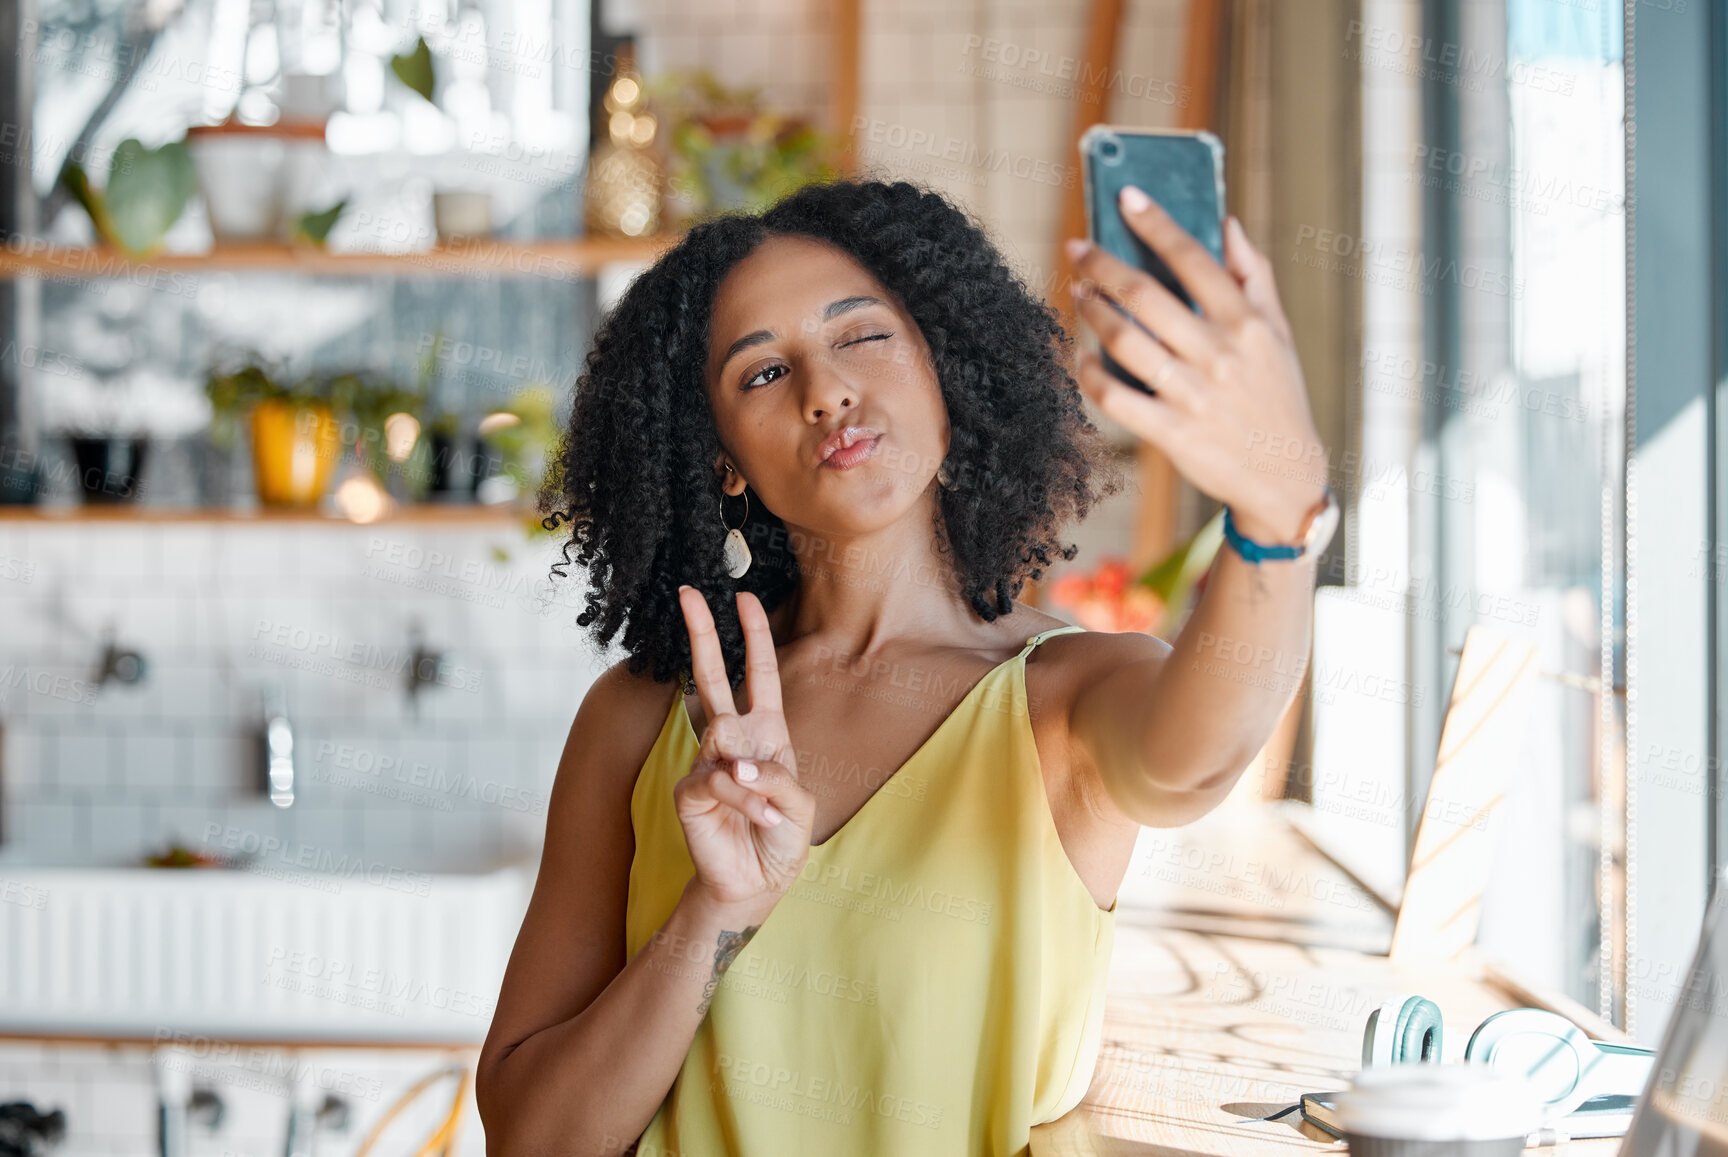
854, 890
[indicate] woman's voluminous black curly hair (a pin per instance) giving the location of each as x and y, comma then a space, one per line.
633, 472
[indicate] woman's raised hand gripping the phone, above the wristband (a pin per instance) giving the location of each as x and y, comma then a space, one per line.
1231, 408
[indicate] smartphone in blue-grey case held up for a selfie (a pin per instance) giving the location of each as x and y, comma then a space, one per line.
1183, 172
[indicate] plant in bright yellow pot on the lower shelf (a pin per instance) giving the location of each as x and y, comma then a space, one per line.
296, 439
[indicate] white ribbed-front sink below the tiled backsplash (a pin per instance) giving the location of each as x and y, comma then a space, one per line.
371, 956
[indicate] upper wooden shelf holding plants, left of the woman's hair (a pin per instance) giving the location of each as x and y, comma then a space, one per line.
554, 260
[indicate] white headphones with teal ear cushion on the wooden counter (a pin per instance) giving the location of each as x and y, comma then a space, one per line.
1561, 1063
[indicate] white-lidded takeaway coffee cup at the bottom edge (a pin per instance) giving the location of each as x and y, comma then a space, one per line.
1432, 1111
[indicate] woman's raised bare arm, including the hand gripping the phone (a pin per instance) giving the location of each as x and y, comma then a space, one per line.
1169, 737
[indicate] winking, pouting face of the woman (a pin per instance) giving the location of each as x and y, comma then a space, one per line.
806, 343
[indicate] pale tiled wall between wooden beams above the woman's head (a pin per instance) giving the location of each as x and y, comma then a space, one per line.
972, 98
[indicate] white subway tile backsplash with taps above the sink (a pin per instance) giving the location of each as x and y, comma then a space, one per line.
232, 616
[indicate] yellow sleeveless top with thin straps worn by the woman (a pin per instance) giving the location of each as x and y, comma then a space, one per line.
934, 983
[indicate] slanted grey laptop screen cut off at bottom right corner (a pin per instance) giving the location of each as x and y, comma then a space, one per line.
1684, 1111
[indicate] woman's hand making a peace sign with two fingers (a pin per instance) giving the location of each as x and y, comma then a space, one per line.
747, 819
